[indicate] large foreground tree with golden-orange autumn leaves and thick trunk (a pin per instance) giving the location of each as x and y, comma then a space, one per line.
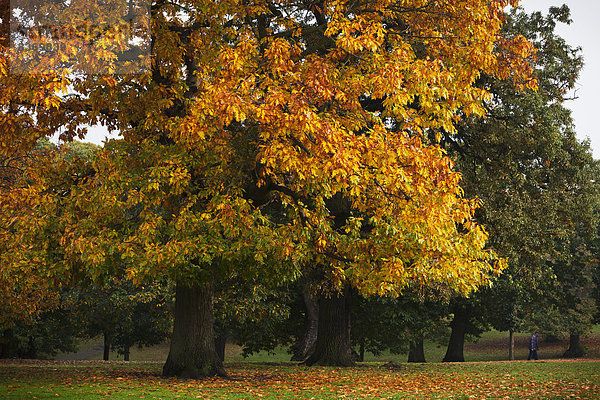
264, 136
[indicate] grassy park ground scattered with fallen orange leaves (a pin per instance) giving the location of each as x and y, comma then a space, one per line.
265, 376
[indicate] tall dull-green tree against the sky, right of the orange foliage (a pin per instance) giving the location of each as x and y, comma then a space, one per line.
535, 180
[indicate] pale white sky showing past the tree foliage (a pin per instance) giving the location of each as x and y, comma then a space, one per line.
583, 32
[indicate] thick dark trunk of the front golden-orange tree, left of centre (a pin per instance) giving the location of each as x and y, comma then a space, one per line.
192, 353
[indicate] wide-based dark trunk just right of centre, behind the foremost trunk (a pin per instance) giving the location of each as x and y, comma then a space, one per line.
333, 333
